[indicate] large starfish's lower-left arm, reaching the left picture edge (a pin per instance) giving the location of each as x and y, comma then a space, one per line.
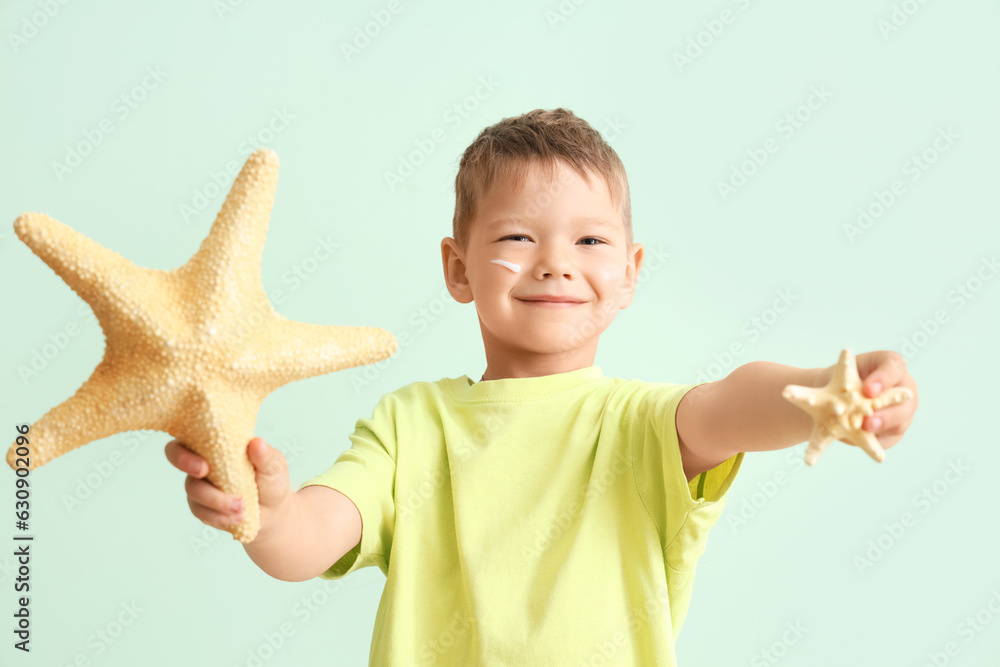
104, 405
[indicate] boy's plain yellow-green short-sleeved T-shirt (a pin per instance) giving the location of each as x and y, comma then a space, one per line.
527, 521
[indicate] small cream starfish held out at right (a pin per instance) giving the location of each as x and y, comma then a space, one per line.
838, 409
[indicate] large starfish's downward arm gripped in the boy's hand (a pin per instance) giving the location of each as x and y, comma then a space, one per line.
216, 421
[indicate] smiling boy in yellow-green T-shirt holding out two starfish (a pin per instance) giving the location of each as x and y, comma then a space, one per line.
547, 514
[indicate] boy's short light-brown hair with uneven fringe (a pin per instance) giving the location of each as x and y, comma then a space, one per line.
503, 153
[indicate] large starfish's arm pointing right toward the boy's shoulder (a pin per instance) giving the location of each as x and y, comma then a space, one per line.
284, 351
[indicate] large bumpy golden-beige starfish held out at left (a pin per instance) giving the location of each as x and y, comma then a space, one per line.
194, 351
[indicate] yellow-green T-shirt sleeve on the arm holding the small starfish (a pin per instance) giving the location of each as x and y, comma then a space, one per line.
682, 511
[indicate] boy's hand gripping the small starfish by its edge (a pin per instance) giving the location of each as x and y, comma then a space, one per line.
881, 370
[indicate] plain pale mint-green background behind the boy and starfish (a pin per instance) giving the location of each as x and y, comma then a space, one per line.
682, 129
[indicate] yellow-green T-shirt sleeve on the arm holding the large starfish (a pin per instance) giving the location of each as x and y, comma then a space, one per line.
366, 474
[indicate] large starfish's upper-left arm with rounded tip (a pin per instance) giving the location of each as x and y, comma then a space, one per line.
116, 289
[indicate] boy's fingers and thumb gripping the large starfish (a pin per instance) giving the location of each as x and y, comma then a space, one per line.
216, 508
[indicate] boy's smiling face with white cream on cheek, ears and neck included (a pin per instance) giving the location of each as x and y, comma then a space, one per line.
551, 239
